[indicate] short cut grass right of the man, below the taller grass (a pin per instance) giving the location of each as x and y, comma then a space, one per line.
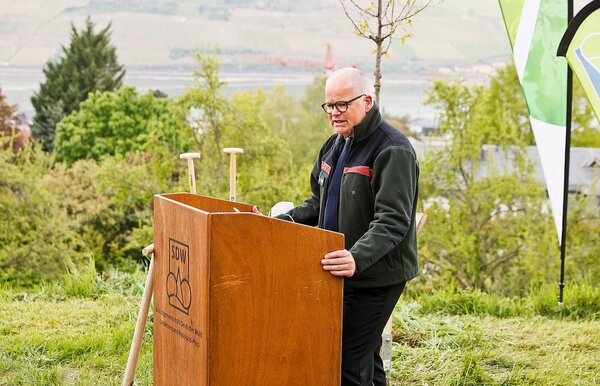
439, 349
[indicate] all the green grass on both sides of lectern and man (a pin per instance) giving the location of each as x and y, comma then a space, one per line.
79, 332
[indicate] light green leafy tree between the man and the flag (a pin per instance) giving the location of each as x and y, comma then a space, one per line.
489, 227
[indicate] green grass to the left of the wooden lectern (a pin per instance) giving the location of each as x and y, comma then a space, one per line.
75, 333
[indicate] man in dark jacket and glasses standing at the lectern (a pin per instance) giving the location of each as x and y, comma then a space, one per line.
364, 185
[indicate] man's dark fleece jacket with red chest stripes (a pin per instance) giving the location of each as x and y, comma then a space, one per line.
378, 199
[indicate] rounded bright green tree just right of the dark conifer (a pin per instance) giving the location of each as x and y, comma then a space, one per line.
116, 123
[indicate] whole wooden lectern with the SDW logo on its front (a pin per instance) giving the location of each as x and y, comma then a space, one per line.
241, 299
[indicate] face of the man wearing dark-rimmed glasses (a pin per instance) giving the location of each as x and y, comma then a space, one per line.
340, 89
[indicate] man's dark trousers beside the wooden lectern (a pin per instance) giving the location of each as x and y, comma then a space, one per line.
366, 311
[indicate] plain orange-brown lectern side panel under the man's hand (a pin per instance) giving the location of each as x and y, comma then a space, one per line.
275, 314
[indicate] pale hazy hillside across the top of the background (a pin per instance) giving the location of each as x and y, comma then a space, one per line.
250, 34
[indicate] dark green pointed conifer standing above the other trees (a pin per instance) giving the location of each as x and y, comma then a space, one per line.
88, 64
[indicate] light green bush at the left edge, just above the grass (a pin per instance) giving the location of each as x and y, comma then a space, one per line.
35, 239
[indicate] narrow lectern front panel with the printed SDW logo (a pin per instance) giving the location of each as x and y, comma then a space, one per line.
180, 294
